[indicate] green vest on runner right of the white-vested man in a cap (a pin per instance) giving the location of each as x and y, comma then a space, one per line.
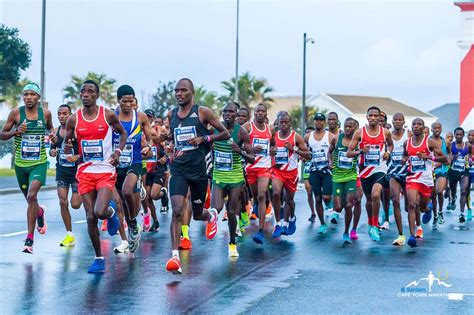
344, 168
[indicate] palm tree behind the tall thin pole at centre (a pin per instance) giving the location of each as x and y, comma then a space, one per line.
252, 91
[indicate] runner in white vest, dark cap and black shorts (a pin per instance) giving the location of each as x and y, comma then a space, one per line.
320, 175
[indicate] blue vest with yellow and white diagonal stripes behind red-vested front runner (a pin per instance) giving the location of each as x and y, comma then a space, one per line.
131, 153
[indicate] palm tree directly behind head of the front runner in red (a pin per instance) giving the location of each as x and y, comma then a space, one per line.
107, 92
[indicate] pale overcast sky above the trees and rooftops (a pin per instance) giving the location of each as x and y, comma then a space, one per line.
401, 49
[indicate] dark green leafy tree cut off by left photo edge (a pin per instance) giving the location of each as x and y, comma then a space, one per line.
15, 56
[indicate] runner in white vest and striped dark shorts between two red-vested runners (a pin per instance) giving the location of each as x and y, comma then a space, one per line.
397, 175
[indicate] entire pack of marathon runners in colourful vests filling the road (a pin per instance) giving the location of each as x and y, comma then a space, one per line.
117, 162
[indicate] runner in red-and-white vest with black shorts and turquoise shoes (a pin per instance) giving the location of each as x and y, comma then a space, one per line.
376, 146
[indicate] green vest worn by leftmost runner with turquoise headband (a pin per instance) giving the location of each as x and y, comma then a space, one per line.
30, 148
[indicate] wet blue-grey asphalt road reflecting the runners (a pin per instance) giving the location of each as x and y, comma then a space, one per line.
304, 273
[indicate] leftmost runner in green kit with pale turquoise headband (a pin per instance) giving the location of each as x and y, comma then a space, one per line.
32, 122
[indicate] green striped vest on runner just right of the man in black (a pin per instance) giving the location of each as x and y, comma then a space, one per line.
227, 165
